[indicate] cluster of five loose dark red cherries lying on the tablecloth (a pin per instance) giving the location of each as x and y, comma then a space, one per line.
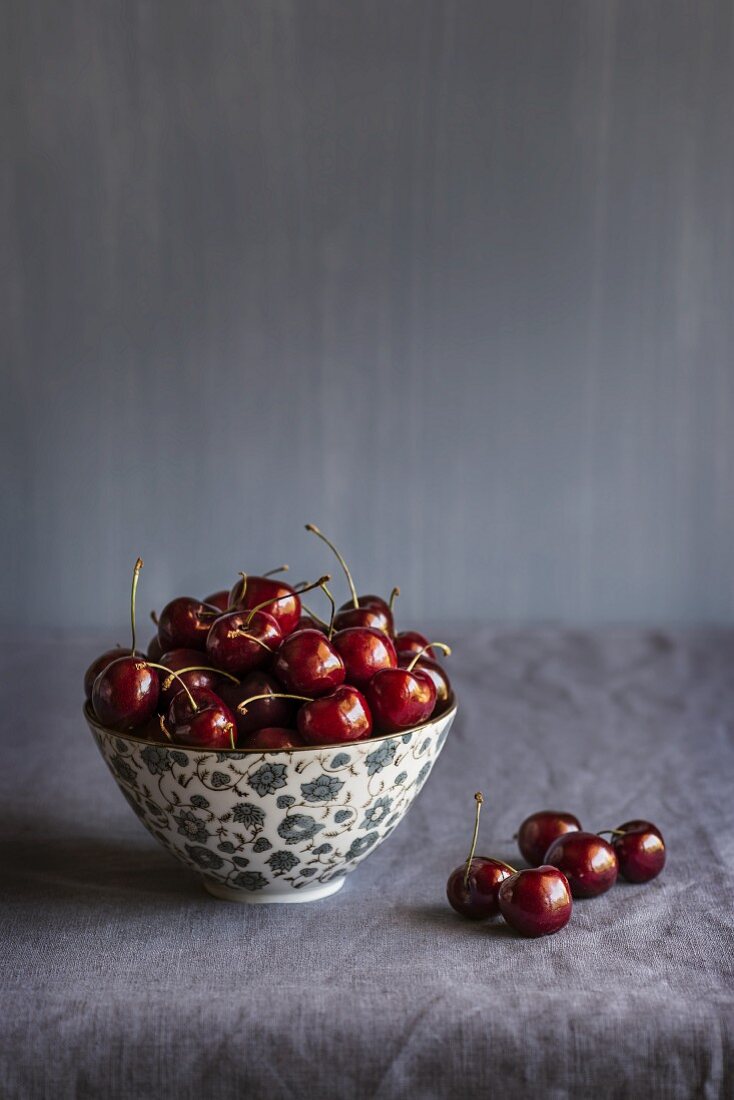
566, 864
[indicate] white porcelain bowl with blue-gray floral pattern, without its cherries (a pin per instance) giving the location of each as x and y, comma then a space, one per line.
283, 827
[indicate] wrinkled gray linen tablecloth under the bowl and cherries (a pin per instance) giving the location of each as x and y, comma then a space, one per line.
122, 978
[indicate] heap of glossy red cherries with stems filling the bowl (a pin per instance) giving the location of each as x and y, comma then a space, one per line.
253, 668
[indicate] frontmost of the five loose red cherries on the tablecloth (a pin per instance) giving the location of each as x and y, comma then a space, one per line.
538, 901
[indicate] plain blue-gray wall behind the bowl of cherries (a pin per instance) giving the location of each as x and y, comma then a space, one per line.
453, 280
